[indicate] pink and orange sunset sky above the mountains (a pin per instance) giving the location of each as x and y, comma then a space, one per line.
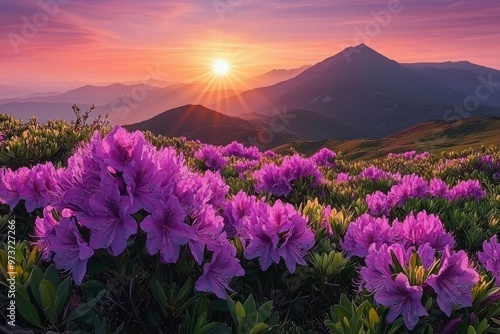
110, 41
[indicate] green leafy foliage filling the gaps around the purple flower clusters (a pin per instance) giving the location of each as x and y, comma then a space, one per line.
136, 293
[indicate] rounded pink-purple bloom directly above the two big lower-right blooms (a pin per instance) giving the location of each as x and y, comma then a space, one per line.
425, 228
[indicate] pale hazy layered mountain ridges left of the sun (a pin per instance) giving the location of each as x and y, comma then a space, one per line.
124, 104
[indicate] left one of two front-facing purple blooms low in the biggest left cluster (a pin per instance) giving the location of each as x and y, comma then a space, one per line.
109, 220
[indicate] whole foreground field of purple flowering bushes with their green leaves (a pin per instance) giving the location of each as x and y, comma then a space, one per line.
150, 234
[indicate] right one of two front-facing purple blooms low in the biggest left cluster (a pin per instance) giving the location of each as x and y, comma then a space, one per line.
166, 230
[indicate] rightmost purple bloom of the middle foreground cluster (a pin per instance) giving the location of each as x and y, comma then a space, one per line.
298, 240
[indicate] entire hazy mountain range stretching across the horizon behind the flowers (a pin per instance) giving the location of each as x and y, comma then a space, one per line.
365, 95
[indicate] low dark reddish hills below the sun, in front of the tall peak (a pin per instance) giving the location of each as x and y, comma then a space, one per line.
196, 122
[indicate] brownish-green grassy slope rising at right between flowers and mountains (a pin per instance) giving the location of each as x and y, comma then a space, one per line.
434, 137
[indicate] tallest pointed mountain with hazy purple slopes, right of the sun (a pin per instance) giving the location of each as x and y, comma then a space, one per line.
365, 89
